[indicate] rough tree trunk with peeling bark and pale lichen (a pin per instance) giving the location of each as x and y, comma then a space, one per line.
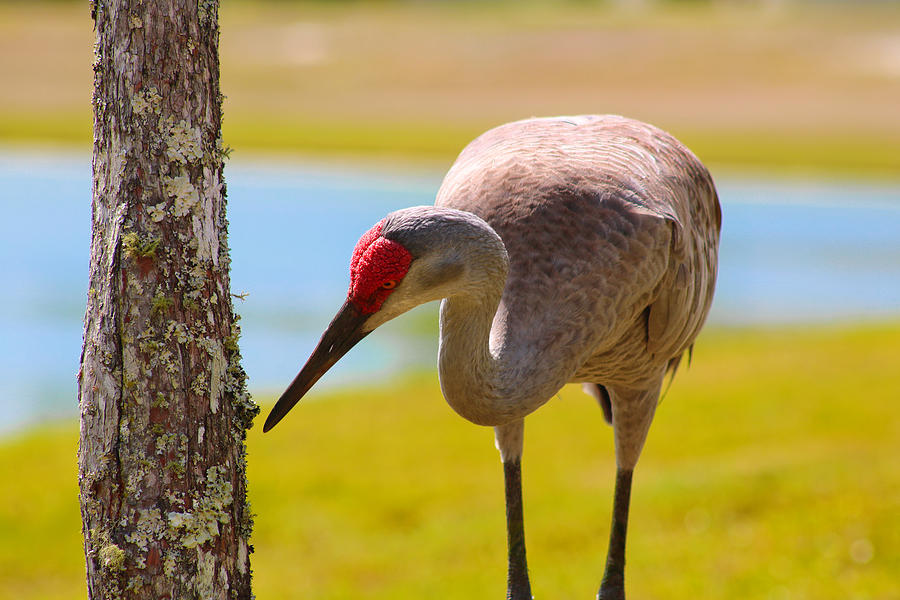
164, 406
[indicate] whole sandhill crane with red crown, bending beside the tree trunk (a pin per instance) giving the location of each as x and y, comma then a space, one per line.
572, 249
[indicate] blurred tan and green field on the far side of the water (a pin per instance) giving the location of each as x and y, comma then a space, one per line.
811, 87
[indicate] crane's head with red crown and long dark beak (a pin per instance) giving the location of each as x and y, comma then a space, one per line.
410, 257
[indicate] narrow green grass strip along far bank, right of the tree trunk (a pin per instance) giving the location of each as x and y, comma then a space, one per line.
837, 153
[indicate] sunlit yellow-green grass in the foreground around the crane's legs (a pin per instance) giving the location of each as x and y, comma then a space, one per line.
770, 472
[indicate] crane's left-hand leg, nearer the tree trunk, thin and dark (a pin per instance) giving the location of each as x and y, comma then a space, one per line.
509, 441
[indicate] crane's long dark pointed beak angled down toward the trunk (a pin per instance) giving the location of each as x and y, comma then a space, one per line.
344, 332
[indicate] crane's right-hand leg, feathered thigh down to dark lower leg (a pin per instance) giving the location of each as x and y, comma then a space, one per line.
632, 412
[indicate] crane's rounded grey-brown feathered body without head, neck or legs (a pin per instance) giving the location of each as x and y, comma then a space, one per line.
611, 227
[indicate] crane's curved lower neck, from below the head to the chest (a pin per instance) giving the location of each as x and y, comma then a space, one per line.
482, 378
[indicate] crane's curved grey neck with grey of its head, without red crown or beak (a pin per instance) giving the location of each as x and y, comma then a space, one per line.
489, 374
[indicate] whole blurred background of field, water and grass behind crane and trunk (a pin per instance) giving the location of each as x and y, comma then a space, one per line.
769, 471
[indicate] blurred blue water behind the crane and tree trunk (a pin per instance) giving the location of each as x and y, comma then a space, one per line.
792, 251
